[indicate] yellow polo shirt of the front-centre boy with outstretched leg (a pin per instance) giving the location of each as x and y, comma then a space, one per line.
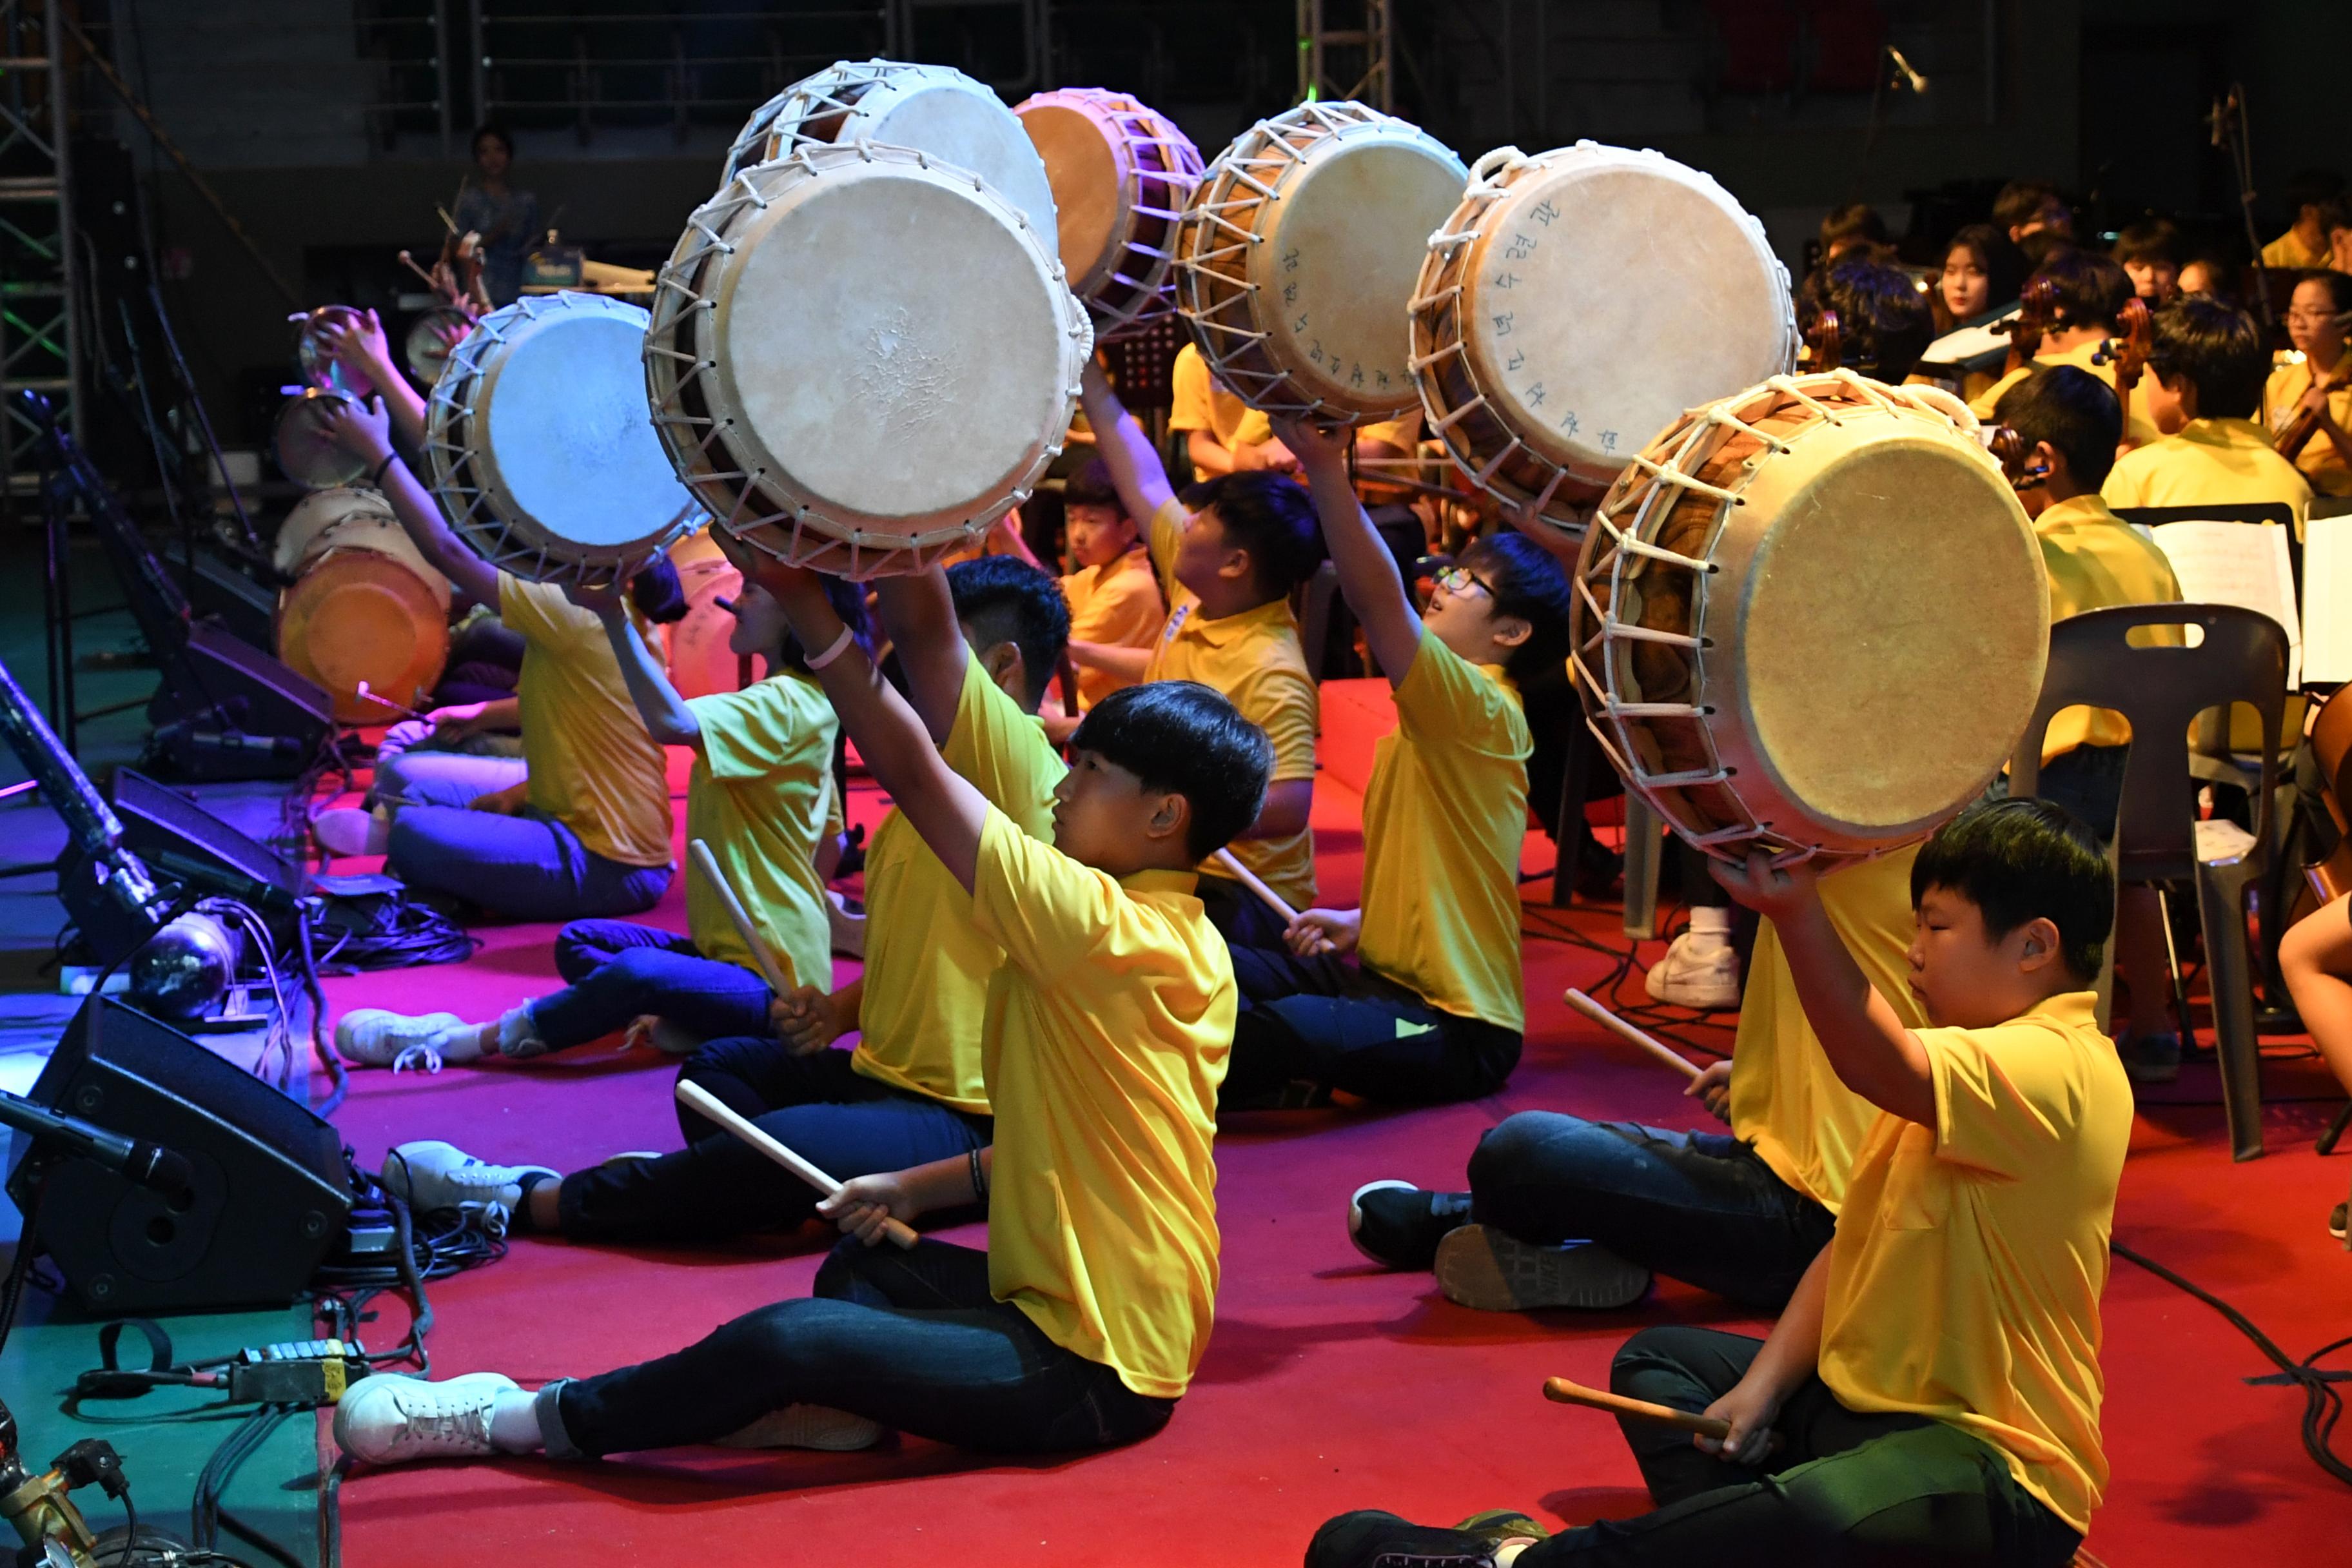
1109, 1028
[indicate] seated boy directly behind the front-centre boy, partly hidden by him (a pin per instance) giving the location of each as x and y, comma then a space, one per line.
914, 1090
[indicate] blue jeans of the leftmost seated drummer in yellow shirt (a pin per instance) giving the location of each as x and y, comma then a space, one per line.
523, 866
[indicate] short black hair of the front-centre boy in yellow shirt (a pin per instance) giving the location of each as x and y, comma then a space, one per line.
1191, 742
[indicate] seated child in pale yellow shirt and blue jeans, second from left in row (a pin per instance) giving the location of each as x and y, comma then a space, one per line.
759, 796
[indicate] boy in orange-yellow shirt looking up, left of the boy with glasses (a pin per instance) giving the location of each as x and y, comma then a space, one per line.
1229, 558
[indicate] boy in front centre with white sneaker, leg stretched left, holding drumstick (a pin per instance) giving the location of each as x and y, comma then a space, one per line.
1109, 1024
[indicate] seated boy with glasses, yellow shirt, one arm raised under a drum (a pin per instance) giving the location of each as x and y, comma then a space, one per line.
1431, 1010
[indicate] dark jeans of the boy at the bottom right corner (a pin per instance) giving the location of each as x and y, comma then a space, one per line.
1843, 1489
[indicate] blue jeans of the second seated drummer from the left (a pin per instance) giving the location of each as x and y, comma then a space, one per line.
617, 970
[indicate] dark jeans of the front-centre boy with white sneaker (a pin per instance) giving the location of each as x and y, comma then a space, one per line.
911, 1341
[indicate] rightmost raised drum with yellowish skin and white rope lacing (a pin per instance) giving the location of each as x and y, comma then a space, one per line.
1812, 619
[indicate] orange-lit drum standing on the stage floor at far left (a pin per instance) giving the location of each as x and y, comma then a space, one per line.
363, 608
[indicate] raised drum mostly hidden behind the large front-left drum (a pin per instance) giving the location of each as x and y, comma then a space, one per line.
933, 109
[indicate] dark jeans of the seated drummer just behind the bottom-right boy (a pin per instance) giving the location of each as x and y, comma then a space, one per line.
1697, 1207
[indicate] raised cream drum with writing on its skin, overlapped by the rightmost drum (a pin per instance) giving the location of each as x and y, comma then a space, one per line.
1575, 304
